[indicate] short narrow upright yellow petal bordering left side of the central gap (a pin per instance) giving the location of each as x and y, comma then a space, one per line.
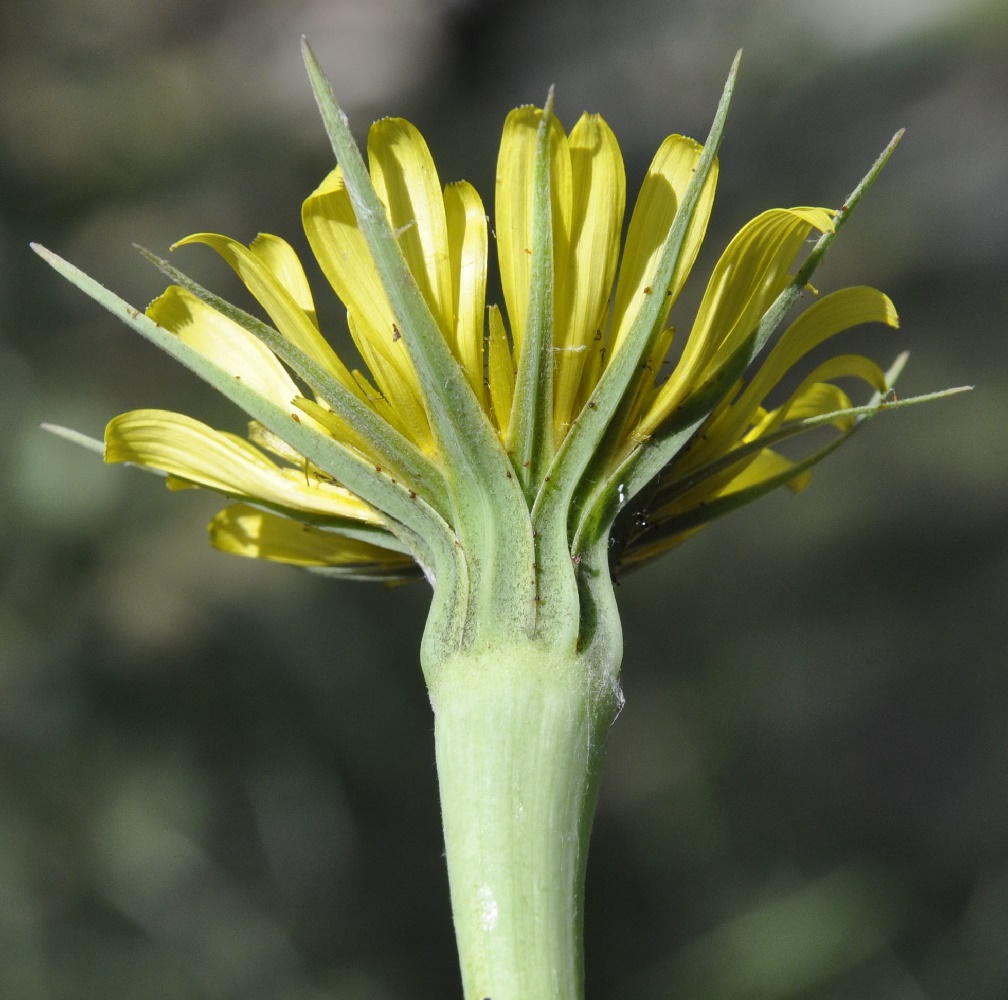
467, 240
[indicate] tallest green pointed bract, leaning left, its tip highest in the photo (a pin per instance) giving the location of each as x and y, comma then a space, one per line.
490, 513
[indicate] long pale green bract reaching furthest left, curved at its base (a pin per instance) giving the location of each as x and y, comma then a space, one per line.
422, 530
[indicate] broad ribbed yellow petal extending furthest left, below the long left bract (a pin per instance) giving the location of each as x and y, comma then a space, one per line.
183, 447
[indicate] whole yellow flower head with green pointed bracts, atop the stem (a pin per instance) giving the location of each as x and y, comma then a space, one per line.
519, 457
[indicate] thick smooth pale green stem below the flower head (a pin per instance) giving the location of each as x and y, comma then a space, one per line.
521, 734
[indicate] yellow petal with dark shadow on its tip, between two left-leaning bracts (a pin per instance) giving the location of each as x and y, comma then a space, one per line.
225, 343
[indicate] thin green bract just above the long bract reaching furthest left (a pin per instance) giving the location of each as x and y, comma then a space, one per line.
395, 452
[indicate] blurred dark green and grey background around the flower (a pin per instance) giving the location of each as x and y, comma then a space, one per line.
217, 778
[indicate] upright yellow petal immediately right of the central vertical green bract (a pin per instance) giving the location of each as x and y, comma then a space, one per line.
599, 197
